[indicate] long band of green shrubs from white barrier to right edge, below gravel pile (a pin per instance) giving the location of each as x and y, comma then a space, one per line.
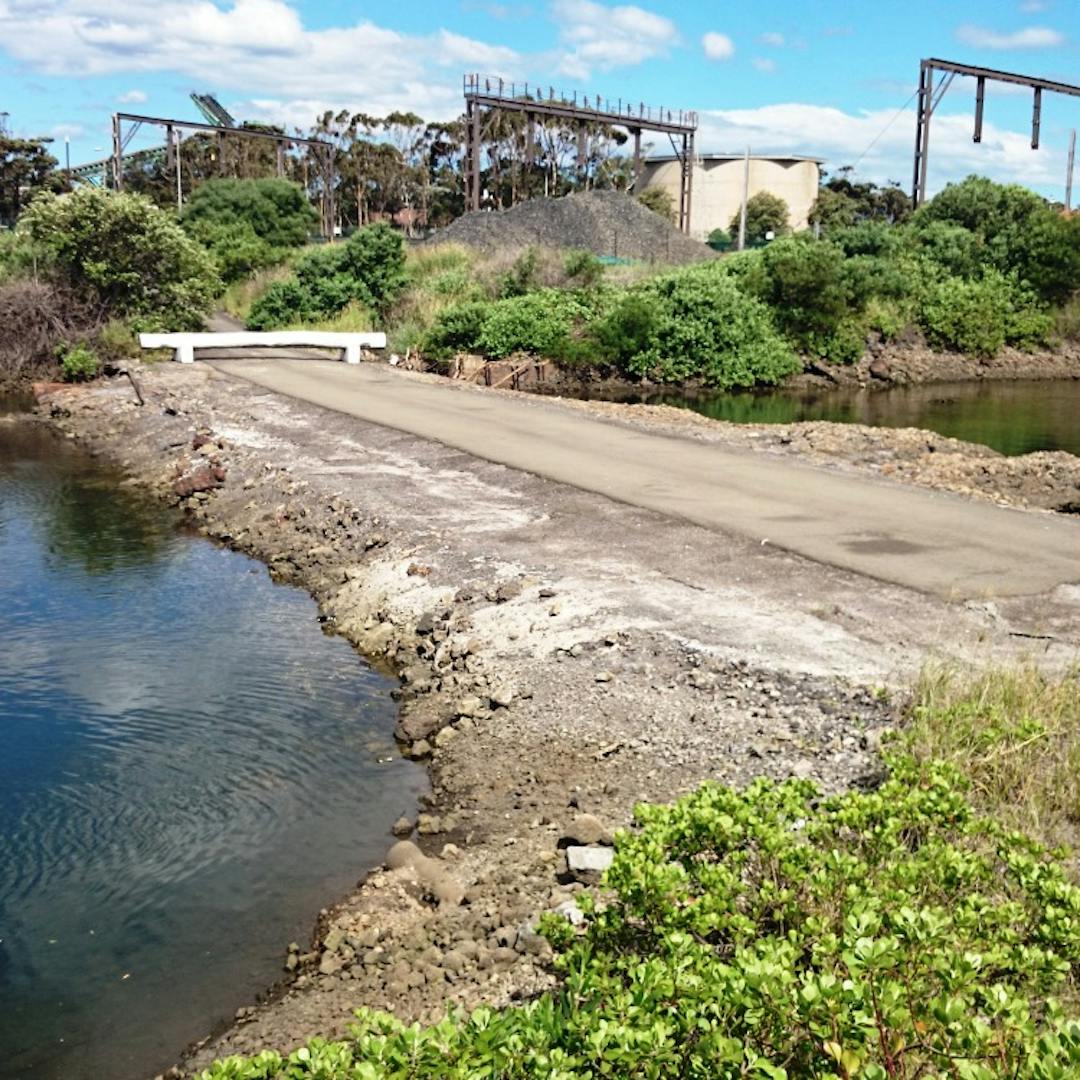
980, 267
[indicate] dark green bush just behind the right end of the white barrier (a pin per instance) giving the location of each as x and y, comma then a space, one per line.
368, 269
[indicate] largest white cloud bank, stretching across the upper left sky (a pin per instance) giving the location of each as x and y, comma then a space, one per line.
259, 48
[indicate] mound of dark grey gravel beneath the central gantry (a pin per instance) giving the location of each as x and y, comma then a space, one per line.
605, 223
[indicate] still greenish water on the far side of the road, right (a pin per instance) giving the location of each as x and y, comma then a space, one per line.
1011, 417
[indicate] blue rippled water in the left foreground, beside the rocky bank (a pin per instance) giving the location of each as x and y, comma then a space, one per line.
190, 772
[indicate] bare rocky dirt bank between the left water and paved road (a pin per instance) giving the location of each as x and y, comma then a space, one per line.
559, 656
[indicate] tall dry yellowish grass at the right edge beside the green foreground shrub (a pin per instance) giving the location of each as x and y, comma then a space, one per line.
1017, 734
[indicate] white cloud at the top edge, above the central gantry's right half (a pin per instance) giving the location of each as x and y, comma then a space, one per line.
598, 37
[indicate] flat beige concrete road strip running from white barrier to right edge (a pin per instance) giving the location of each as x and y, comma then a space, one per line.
910, 536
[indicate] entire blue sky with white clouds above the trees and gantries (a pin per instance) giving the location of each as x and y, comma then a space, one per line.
829, 78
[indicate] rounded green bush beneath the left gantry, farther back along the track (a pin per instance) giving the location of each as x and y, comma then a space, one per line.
249, 225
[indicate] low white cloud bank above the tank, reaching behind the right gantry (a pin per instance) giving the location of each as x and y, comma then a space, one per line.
844, 138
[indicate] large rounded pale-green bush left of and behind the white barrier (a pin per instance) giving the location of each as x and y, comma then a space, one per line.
125, 255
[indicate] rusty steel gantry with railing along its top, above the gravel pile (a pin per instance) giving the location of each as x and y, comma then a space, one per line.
491, 94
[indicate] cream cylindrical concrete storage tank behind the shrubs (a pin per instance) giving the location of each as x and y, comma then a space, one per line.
719, 187
